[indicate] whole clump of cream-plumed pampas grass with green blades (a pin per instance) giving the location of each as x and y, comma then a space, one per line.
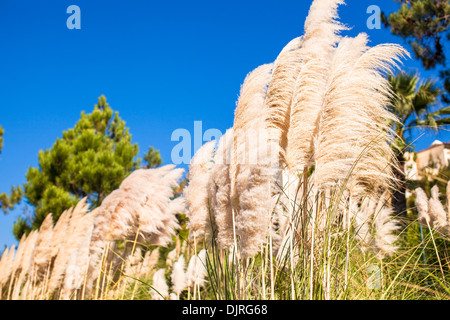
303, 213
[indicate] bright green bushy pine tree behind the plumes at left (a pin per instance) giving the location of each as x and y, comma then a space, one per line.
90, 160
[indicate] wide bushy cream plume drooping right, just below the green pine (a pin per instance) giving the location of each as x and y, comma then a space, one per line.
141, 208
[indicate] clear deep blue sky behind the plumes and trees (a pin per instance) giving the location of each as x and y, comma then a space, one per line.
161, 64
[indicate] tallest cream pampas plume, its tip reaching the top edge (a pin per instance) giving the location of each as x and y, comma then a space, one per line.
319, 41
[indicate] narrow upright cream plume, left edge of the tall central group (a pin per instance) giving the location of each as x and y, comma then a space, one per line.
252, 166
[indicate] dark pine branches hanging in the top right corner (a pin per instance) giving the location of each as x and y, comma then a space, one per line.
424, 25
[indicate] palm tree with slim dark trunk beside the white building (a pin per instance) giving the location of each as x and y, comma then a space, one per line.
416, 105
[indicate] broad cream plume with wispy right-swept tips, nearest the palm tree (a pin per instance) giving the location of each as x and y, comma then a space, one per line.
352, 134
